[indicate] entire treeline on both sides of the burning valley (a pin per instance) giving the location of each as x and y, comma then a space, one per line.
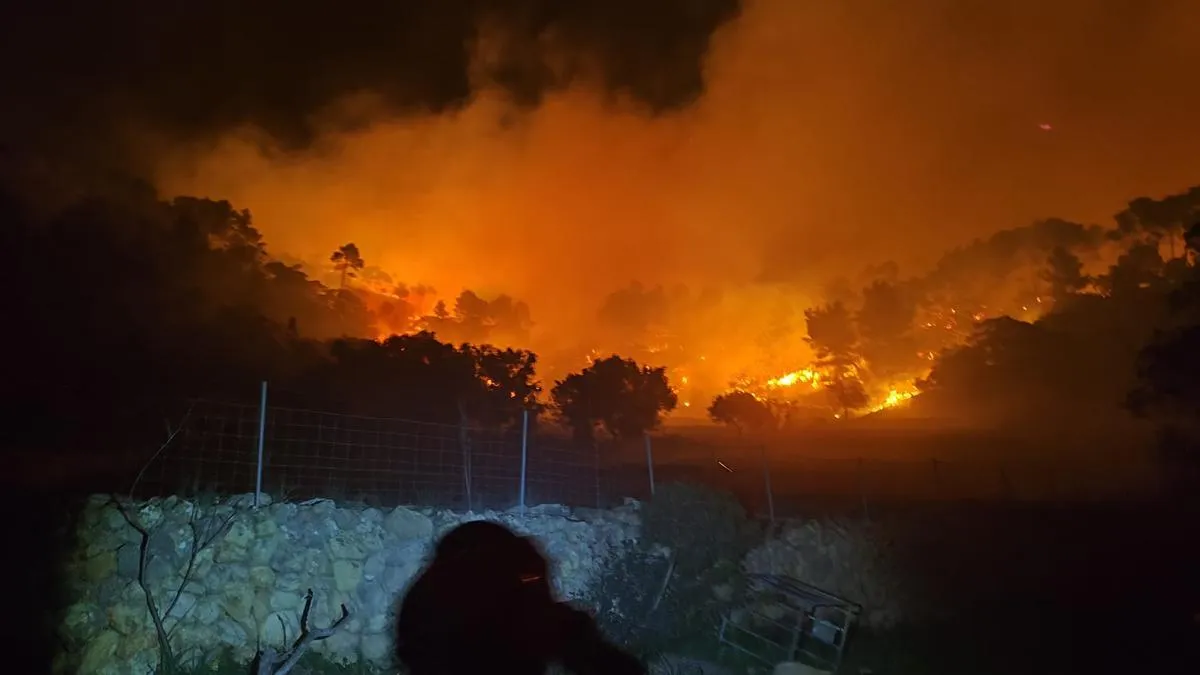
123, 308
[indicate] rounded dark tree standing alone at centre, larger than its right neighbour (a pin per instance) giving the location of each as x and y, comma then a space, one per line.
623, 398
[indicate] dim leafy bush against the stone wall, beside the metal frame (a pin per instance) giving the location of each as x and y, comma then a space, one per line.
671, 589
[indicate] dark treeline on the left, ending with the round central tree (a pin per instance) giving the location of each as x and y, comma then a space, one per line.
122, 309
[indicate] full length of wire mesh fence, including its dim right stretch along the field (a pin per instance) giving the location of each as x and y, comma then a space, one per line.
386, 462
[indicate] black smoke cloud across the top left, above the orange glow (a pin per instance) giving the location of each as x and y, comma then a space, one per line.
193, 69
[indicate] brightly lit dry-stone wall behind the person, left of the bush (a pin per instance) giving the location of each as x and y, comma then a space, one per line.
249, 587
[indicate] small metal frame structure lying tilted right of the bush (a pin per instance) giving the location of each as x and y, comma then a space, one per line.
809, 625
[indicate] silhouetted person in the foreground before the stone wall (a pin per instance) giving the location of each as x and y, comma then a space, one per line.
485, 605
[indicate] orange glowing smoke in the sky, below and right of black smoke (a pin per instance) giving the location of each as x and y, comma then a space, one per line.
832, 136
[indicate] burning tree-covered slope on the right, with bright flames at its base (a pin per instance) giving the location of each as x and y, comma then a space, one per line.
1012, 330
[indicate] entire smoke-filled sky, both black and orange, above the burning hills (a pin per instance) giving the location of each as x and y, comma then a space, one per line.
560, 151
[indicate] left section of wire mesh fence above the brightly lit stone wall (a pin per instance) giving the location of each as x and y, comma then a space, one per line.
309, 455
